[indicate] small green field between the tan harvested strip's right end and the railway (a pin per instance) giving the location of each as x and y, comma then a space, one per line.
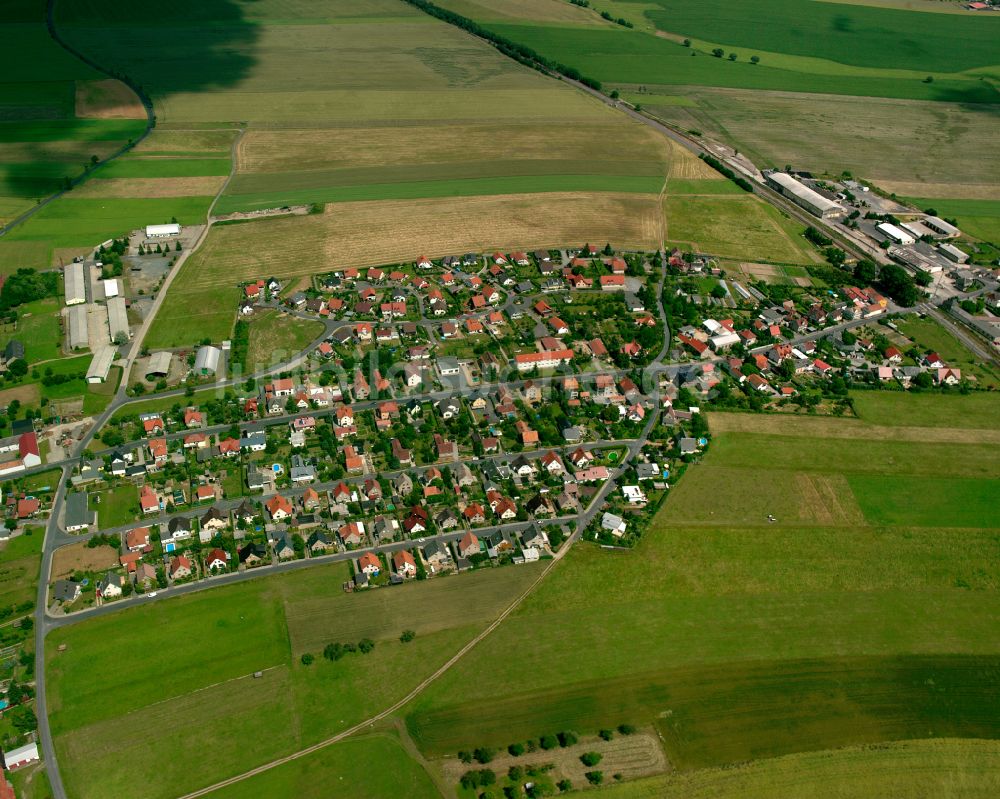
740, 227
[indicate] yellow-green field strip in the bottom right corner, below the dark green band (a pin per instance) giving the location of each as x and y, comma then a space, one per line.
959, 769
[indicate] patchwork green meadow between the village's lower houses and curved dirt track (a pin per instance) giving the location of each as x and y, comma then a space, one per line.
223, 636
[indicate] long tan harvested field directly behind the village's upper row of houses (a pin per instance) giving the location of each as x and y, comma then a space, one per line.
372, 233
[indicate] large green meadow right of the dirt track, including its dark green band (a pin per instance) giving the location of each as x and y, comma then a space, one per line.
741, 639
